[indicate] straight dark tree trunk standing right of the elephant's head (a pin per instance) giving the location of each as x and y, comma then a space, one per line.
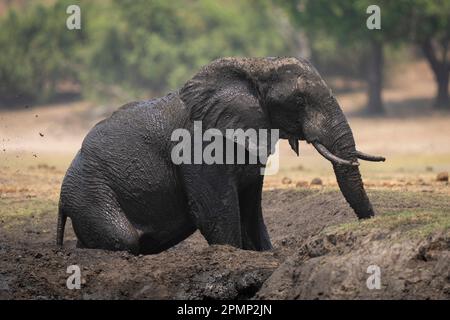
375, 79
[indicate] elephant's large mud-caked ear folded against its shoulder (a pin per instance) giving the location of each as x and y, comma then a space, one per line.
223, 96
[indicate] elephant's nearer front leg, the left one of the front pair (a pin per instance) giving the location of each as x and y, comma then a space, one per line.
214, 203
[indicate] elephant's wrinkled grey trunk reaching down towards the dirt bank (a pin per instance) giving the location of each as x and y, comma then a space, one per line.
342, 145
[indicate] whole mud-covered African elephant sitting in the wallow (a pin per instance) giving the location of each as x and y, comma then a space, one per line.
123, 191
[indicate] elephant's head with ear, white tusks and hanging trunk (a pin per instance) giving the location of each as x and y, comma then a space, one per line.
291, 96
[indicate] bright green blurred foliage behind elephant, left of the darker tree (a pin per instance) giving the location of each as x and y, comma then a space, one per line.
132, 46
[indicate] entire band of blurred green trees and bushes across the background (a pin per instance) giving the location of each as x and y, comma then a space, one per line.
132, 49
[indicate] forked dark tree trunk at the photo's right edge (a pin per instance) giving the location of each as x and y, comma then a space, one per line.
441, 70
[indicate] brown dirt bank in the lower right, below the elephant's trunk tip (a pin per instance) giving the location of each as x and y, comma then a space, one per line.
338, 266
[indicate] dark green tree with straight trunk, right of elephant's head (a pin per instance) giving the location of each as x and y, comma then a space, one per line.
345, 22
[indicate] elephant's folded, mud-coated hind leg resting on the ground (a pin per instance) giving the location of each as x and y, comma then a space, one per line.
103, 225
